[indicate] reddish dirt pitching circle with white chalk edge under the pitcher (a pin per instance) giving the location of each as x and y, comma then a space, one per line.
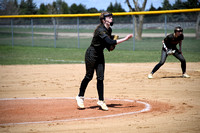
33, 110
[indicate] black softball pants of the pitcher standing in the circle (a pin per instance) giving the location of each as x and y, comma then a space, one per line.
93, 61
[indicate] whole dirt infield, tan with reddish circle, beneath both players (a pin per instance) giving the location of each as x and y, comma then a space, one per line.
36, 93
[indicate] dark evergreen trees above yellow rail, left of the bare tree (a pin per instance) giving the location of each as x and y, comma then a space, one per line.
27, 7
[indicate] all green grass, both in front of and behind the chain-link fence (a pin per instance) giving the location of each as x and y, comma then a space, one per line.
43, 52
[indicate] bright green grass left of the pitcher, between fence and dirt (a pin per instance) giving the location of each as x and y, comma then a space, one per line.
39, 55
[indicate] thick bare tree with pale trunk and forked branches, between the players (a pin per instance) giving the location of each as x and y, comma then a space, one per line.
138, 20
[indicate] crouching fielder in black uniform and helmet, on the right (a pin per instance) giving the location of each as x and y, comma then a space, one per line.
169, 48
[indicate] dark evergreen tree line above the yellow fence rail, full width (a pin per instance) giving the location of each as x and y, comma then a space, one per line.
27, 7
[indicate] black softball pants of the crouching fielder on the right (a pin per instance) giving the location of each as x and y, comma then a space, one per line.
164, 55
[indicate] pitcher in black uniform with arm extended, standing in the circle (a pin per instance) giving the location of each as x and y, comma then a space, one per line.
94, 58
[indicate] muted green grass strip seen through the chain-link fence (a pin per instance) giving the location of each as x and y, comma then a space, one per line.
146, 44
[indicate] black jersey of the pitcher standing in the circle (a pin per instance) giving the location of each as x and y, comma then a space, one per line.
99, 39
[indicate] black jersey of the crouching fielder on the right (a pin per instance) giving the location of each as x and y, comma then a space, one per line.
171, 41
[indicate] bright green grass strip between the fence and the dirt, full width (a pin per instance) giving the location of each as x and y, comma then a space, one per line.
43, 55
